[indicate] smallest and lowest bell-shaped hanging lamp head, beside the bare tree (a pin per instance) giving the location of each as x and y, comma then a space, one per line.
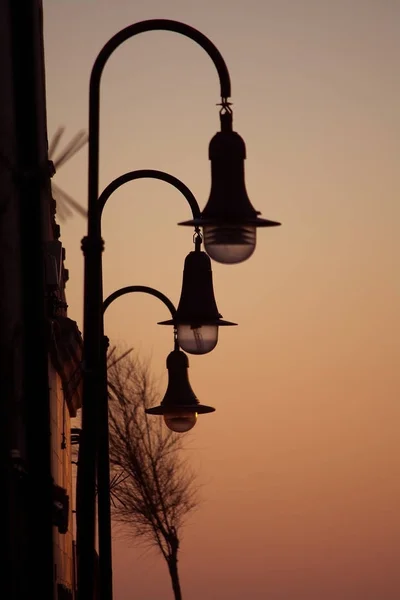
179, 407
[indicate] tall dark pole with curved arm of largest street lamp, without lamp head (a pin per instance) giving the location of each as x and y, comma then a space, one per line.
92, 246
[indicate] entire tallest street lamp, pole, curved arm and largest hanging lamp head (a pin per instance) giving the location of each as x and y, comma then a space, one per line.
228, 225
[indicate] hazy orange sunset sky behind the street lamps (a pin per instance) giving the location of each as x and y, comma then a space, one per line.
300, 464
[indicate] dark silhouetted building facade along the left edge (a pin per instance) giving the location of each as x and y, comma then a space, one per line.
40, 347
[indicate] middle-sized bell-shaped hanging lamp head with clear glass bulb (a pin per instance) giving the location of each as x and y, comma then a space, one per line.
197, 318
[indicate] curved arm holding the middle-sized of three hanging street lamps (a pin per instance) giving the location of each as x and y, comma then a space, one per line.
152, 174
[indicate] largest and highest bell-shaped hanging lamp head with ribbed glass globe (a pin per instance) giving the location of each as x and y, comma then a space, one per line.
229, 220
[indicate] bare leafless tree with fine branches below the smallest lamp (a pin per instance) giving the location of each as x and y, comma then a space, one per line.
152, 487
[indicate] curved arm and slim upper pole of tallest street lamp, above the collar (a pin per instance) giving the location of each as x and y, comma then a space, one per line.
94, 91
